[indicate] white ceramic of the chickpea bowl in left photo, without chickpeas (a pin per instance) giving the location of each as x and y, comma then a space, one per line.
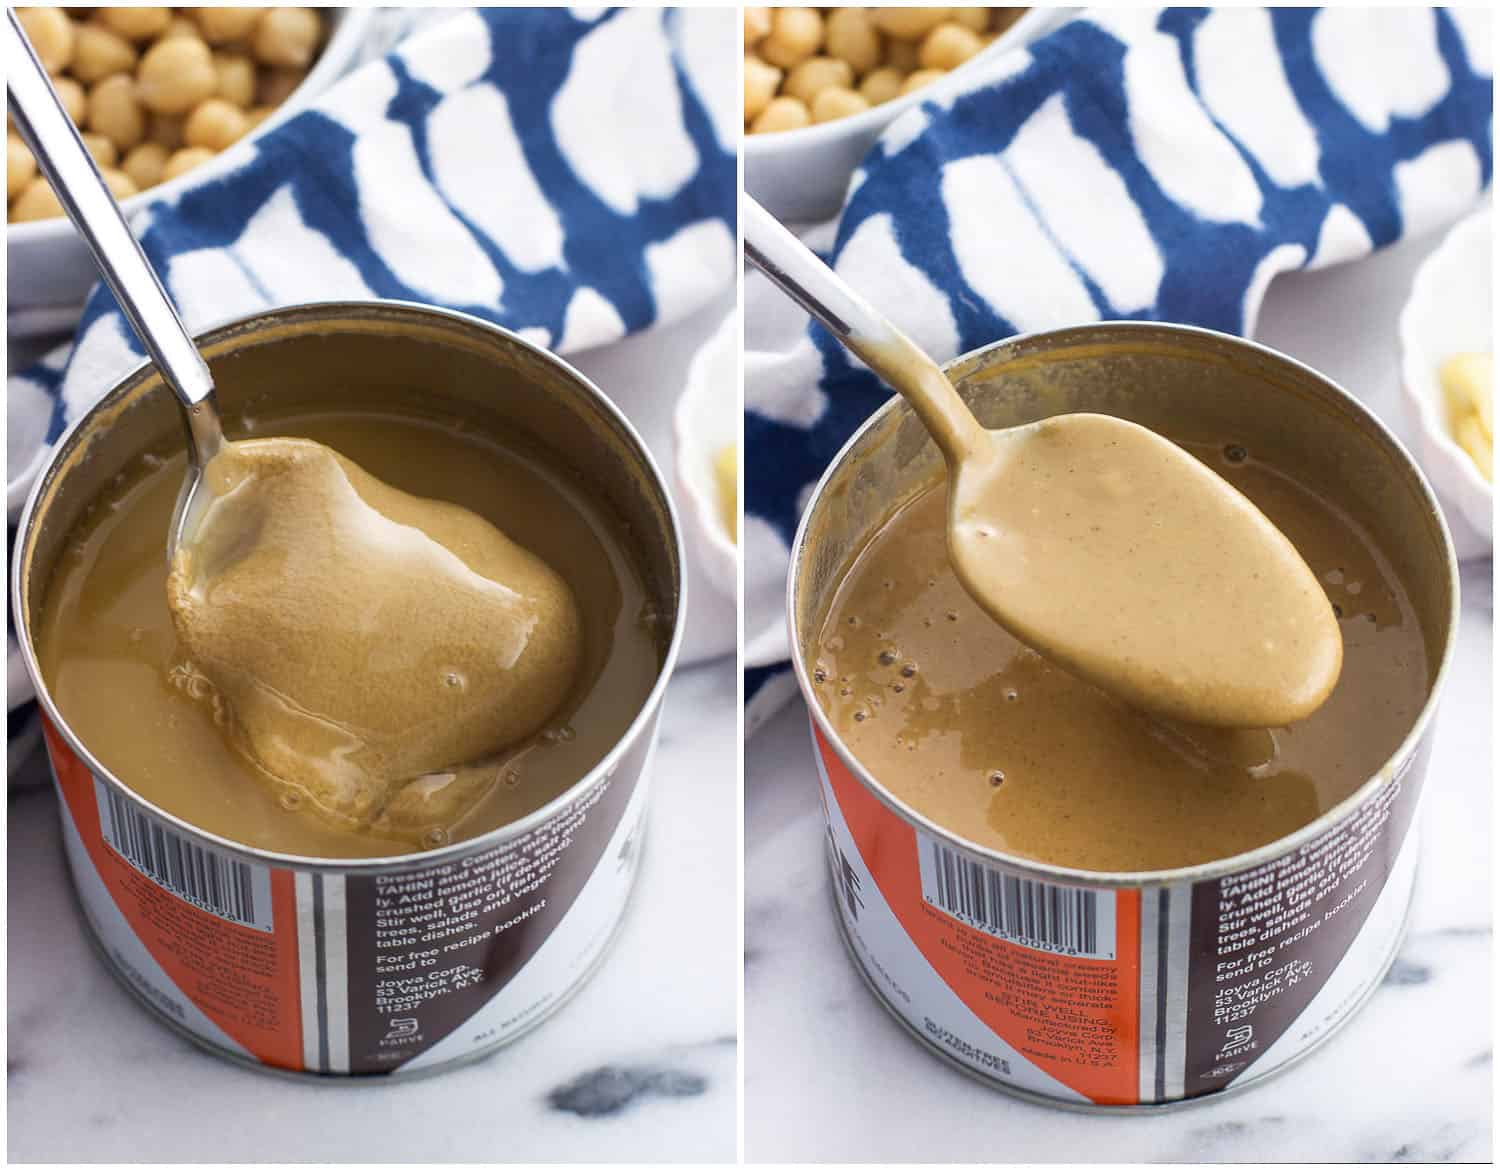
50, 272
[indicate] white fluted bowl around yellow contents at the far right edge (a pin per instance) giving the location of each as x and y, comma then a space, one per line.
1451, 311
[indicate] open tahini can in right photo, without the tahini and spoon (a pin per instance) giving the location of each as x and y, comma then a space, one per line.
1142, 990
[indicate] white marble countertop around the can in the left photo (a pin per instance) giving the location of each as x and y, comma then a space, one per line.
640, 1067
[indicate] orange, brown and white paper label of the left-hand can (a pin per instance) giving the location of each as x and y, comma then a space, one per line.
346, 972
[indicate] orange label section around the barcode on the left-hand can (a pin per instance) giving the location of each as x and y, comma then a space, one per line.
245, 981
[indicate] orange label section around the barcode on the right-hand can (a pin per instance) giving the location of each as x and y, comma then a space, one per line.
1076, 1019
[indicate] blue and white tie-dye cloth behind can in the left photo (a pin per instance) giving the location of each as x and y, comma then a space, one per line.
566, 175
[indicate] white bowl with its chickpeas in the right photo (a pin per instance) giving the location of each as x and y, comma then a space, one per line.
823, 83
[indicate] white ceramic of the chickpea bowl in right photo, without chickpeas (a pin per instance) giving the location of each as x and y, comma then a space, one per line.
802, 176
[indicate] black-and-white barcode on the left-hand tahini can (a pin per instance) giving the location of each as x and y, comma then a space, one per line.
211, 881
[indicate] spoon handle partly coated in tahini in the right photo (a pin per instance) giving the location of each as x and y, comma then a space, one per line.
884, 349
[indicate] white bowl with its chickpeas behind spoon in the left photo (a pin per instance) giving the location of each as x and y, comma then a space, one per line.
158, 95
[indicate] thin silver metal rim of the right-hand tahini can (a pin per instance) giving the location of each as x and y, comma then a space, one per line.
1147, 878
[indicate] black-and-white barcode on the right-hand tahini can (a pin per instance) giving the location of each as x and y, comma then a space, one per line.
1039, 915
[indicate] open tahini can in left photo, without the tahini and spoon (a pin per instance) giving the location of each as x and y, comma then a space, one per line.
359, 966
